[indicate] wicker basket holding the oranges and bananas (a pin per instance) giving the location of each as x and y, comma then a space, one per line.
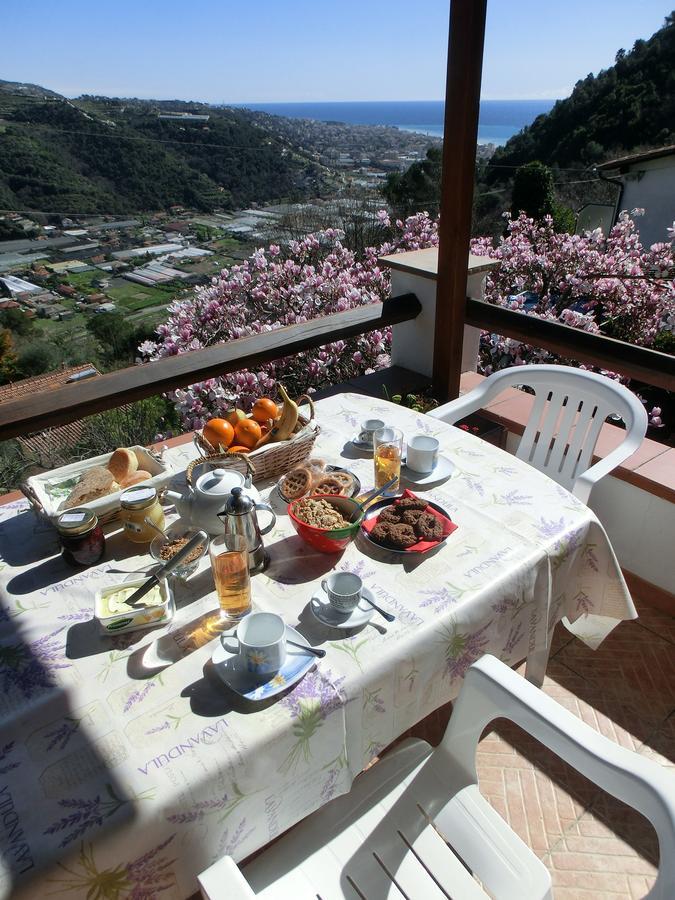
269, 461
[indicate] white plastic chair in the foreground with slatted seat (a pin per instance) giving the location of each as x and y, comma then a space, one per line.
379, 842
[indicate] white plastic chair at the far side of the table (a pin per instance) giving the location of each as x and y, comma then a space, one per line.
569, 410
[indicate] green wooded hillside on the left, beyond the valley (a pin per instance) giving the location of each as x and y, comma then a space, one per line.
95, 154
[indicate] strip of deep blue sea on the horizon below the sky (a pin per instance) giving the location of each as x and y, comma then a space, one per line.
499, 119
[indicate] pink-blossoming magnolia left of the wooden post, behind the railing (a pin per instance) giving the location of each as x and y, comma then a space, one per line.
313, 277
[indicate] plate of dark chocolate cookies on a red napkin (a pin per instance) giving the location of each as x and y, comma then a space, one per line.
407, 524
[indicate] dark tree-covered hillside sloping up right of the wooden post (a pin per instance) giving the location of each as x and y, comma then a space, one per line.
629, 106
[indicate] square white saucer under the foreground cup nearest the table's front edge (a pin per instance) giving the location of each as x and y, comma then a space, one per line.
236, 676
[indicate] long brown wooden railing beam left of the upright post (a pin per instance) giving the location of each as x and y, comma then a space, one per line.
48, 409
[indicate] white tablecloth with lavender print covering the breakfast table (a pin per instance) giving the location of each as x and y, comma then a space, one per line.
126, 767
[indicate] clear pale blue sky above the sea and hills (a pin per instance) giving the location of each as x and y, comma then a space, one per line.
285, 50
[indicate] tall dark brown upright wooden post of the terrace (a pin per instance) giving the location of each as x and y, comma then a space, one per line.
462, 106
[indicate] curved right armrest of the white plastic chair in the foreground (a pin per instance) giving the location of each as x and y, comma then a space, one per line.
491, 690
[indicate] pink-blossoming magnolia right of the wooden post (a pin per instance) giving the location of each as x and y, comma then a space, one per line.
608, 285
